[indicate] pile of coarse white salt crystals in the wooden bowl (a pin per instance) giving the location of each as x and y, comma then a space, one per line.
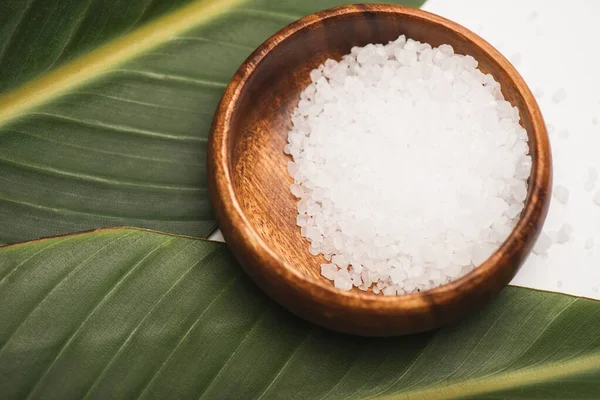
410, 166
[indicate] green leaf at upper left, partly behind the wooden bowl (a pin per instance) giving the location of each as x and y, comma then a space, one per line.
105, 108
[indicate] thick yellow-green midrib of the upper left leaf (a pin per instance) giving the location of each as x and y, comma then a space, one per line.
101, 60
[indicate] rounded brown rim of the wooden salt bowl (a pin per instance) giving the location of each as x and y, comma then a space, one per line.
223, 192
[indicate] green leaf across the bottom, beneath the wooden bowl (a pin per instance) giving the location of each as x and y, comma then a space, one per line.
126, 313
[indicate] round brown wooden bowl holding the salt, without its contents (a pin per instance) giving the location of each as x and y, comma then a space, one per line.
250, 184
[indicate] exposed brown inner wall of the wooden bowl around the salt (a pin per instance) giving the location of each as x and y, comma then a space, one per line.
262, 118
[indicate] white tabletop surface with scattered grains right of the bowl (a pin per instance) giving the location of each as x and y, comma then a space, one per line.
554, 45
